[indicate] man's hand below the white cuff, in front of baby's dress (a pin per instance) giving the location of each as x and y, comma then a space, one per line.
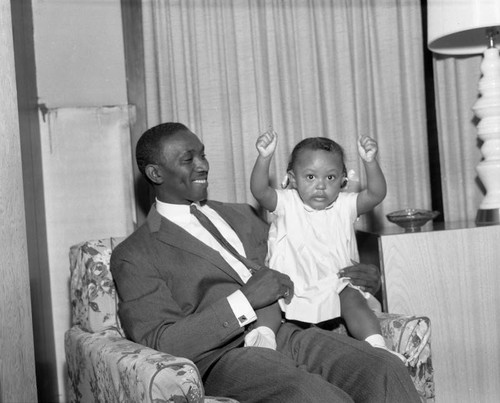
267, 286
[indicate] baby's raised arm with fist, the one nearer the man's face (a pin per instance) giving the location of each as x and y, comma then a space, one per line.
259, 180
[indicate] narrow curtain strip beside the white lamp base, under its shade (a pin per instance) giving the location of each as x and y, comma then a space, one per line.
456, 81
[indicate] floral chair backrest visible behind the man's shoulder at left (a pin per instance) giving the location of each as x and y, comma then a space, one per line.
94, 302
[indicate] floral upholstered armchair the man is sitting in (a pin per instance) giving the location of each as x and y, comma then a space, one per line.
104, 366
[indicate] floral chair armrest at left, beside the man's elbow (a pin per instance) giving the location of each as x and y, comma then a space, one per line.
105, 367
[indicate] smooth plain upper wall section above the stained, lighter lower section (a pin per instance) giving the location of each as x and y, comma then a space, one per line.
79, 52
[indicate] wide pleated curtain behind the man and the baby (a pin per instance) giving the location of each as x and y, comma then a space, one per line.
231, 69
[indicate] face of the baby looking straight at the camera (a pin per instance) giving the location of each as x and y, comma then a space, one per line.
317, 175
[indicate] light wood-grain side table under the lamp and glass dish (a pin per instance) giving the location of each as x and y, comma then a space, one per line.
450, 273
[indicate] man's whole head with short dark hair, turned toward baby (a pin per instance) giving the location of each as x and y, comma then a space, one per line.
172, 158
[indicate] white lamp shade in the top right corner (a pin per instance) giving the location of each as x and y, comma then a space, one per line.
458, 27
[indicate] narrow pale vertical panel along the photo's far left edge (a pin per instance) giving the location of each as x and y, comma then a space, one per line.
17, 370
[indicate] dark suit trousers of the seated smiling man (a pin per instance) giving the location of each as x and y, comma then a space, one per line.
311, 365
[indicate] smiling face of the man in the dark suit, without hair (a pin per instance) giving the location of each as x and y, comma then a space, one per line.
183, 168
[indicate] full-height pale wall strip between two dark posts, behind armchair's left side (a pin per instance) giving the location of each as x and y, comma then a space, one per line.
84, 135
